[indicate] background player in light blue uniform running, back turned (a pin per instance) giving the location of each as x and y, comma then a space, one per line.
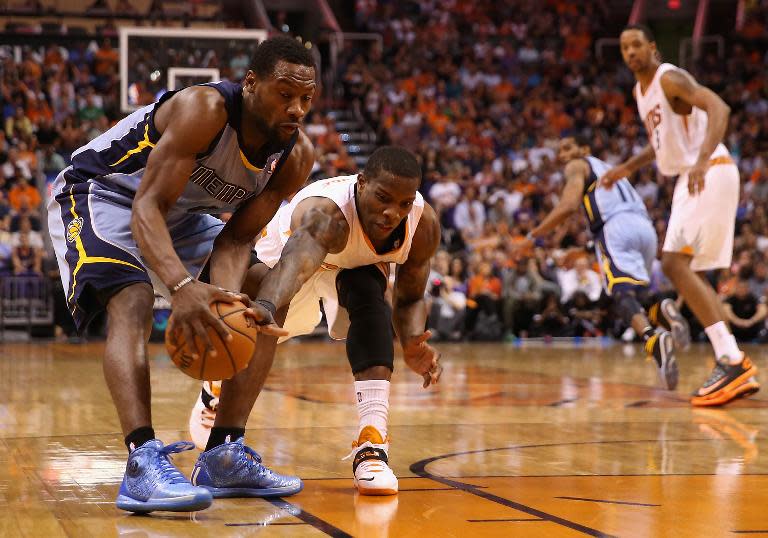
625, 245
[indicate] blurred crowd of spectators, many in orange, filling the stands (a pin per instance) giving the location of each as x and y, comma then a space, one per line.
482, 92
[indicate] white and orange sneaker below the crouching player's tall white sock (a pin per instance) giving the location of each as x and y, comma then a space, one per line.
370, 464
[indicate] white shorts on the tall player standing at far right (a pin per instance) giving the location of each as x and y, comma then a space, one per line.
703, 225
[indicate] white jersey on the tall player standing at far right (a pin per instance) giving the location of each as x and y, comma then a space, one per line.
676, 139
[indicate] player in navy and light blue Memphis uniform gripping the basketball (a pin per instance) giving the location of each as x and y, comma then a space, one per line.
135, 209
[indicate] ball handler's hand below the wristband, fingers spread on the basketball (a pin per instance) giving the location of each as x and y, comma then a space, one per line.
191, 307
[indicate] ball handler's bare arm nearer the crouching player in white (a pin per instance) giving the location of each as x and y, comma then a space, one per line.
232, 249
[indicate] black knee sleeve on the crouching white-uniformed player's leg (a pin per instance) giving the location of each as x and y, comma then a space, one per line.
369, 339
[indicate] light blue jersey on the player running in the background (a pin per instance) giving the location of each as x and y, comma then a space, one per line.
600, 203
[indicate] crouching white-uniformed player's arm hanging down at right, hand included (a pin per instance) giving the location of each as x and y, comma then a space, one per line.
410, 310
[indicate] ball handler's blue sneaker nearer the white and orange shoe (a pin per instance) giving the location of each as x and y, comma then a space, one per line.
235, 470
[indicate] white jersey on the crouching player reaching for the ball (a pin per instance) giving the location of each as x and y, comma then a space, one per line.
358, 251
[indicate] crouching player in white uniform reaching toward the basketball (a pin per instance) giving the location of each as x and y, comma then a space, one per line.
334, 243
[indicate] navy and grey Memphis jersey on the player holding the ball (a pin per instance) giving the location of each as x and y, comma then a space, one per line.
223, 176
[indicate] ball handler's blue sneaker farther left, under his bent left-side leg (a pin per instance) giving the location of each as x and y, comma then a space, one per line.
151, 482
